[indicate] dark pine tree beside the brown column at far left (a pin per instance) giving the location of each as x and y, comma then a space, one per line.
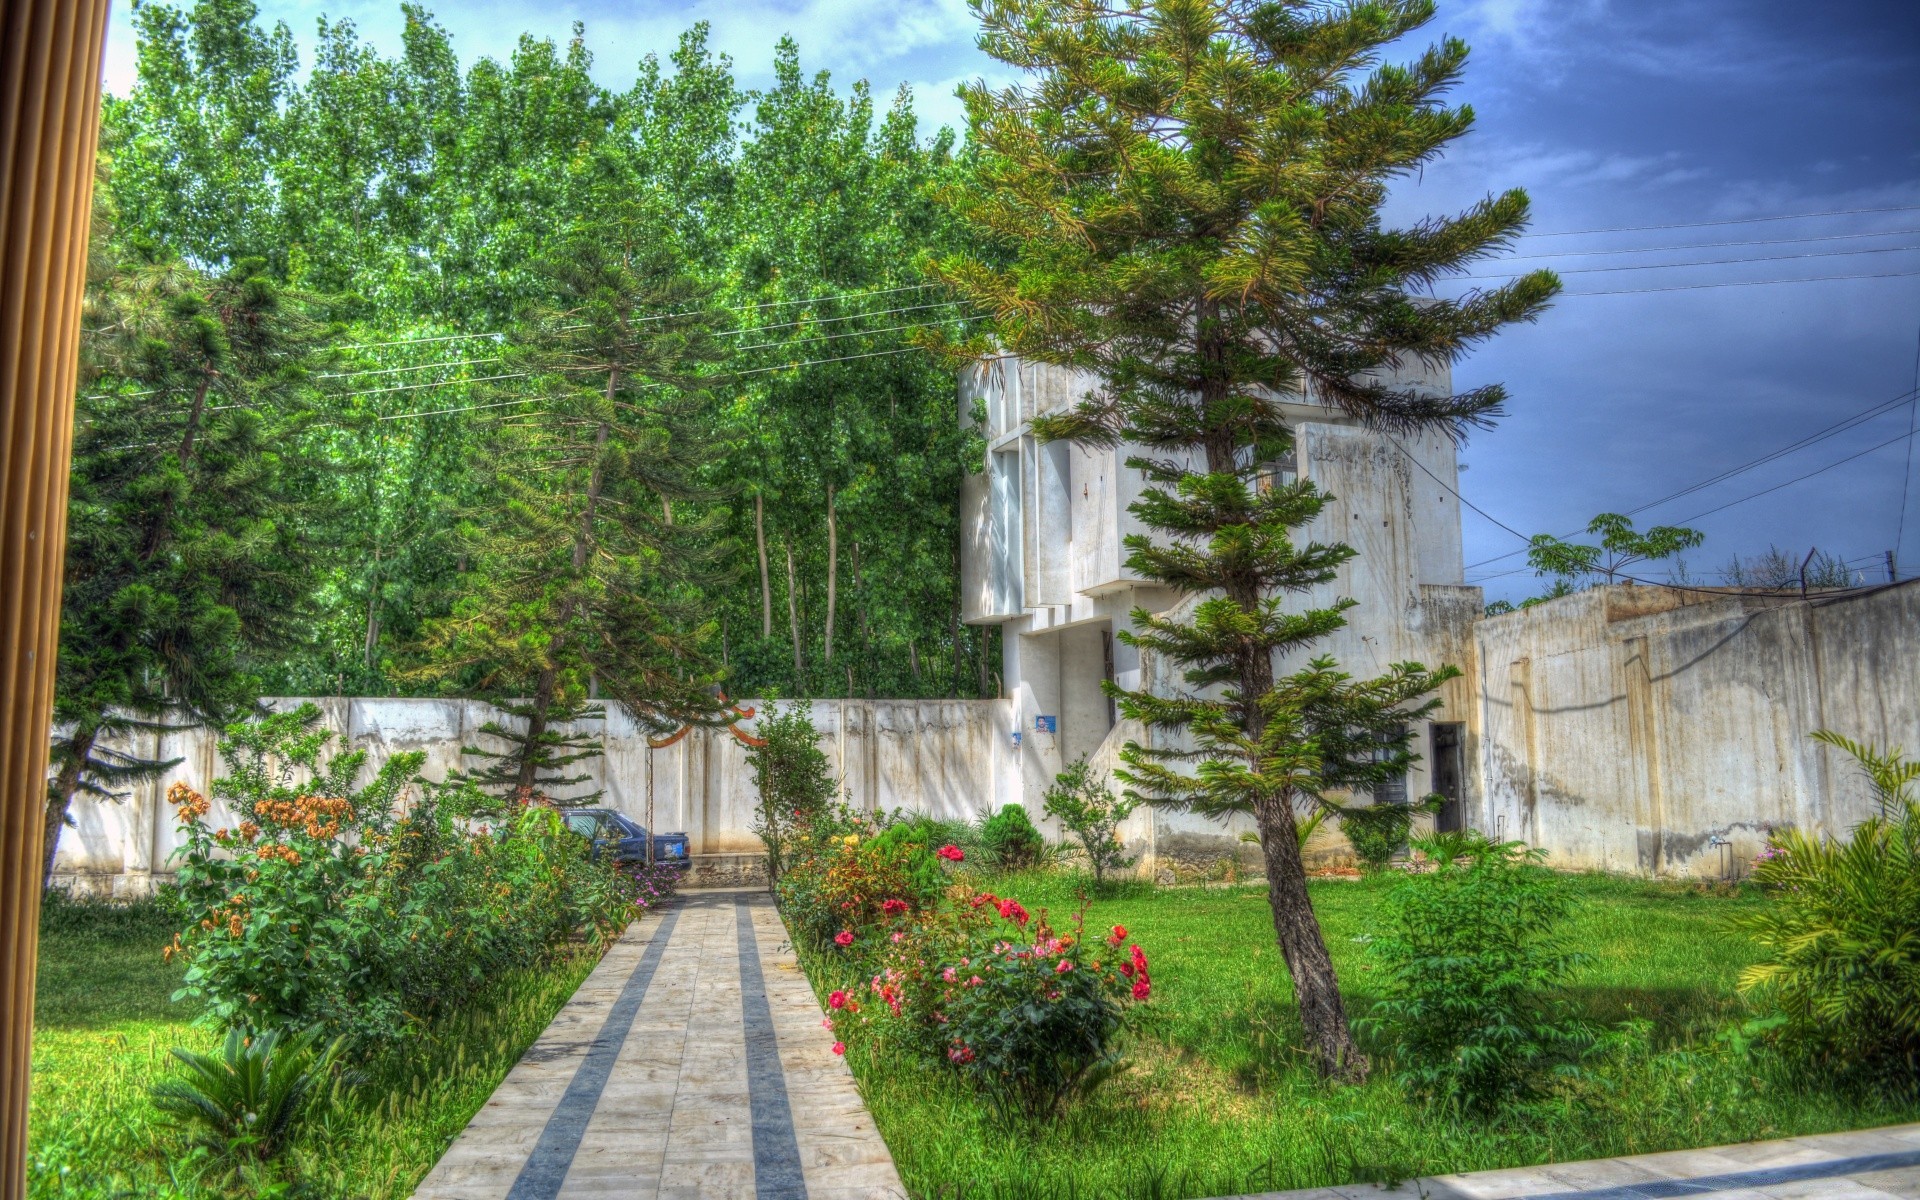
195, 498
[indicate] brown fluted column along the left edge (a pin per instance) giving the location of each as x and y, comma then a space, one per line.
49, 128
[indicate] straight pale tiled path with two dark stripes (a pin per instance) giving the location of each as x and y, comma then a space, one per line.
690, 1065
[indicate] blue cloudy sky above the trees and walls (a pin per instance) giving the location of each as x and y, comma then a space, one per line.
1610, 114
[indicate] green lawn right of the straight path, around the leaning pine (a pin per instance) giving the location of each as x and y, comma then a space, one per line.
1220, 1097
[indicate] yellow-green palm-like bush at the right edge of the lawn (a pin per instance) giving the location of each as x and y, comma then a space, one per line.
1842, 938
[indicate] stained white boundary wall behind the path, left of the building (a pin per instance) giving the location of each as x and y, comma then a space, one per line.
942, 757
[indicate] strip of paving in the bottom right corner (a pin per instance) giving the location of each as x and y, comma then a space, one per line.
1871, 1164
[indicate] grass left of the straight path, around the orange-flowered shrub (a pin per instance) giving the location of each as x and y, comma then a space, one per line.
103, 1034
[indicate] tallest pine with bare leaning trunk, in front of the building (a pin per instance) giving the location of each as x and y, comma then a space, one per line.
1191, 197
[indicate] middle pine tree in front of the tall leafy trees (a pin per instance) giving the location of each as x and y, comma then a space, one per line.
585, 569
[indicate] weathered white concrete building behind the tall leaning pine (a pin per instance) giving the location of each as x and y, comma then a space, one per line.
1044, 556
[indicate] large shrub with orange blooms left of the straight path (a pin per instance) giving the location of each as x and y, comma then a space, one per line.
327, 905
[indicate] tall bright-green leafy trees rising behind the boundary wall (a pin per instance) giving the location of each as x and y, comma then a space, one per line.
433, 199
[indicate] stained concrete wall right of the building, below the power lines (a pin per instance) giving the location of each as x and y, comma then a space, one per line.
1633, 729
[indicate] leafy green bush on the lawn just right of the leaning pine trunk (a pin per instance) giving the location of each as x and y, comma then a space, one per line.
1472, 963
